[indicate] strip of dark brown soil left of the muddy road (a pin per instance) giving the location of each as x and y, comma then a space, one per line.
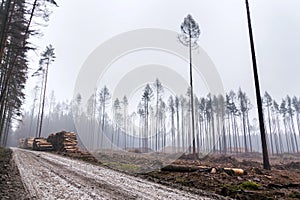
11, 186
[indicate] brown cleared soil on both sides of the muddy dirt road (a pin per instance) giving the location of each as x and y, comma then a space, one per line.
281, 182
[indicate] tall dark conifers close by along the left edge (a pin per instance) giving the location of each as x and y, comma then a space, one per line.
16, 26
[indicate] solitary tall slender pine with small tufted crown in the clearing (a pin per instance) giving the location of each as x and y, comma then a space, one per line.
189, 37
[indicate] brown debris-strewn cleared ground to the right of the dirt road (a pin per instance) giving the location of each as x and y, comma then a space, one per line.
281, 182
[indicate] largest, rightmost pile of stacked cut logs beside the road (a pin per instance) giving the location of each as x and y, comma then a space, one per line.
64, 141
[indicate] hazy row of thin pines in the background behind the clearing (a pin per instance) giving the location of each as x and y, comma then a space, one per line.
162, 122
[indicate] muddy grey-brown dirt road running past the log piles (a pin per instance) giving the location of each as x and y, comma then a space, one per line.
49, 176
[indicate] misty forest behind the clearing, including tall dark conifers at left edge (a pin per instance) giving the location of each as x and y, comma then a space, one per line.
223, 123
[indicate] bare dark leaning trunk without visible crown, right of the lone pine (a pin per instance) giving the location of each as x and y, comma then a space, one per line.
258, 96
